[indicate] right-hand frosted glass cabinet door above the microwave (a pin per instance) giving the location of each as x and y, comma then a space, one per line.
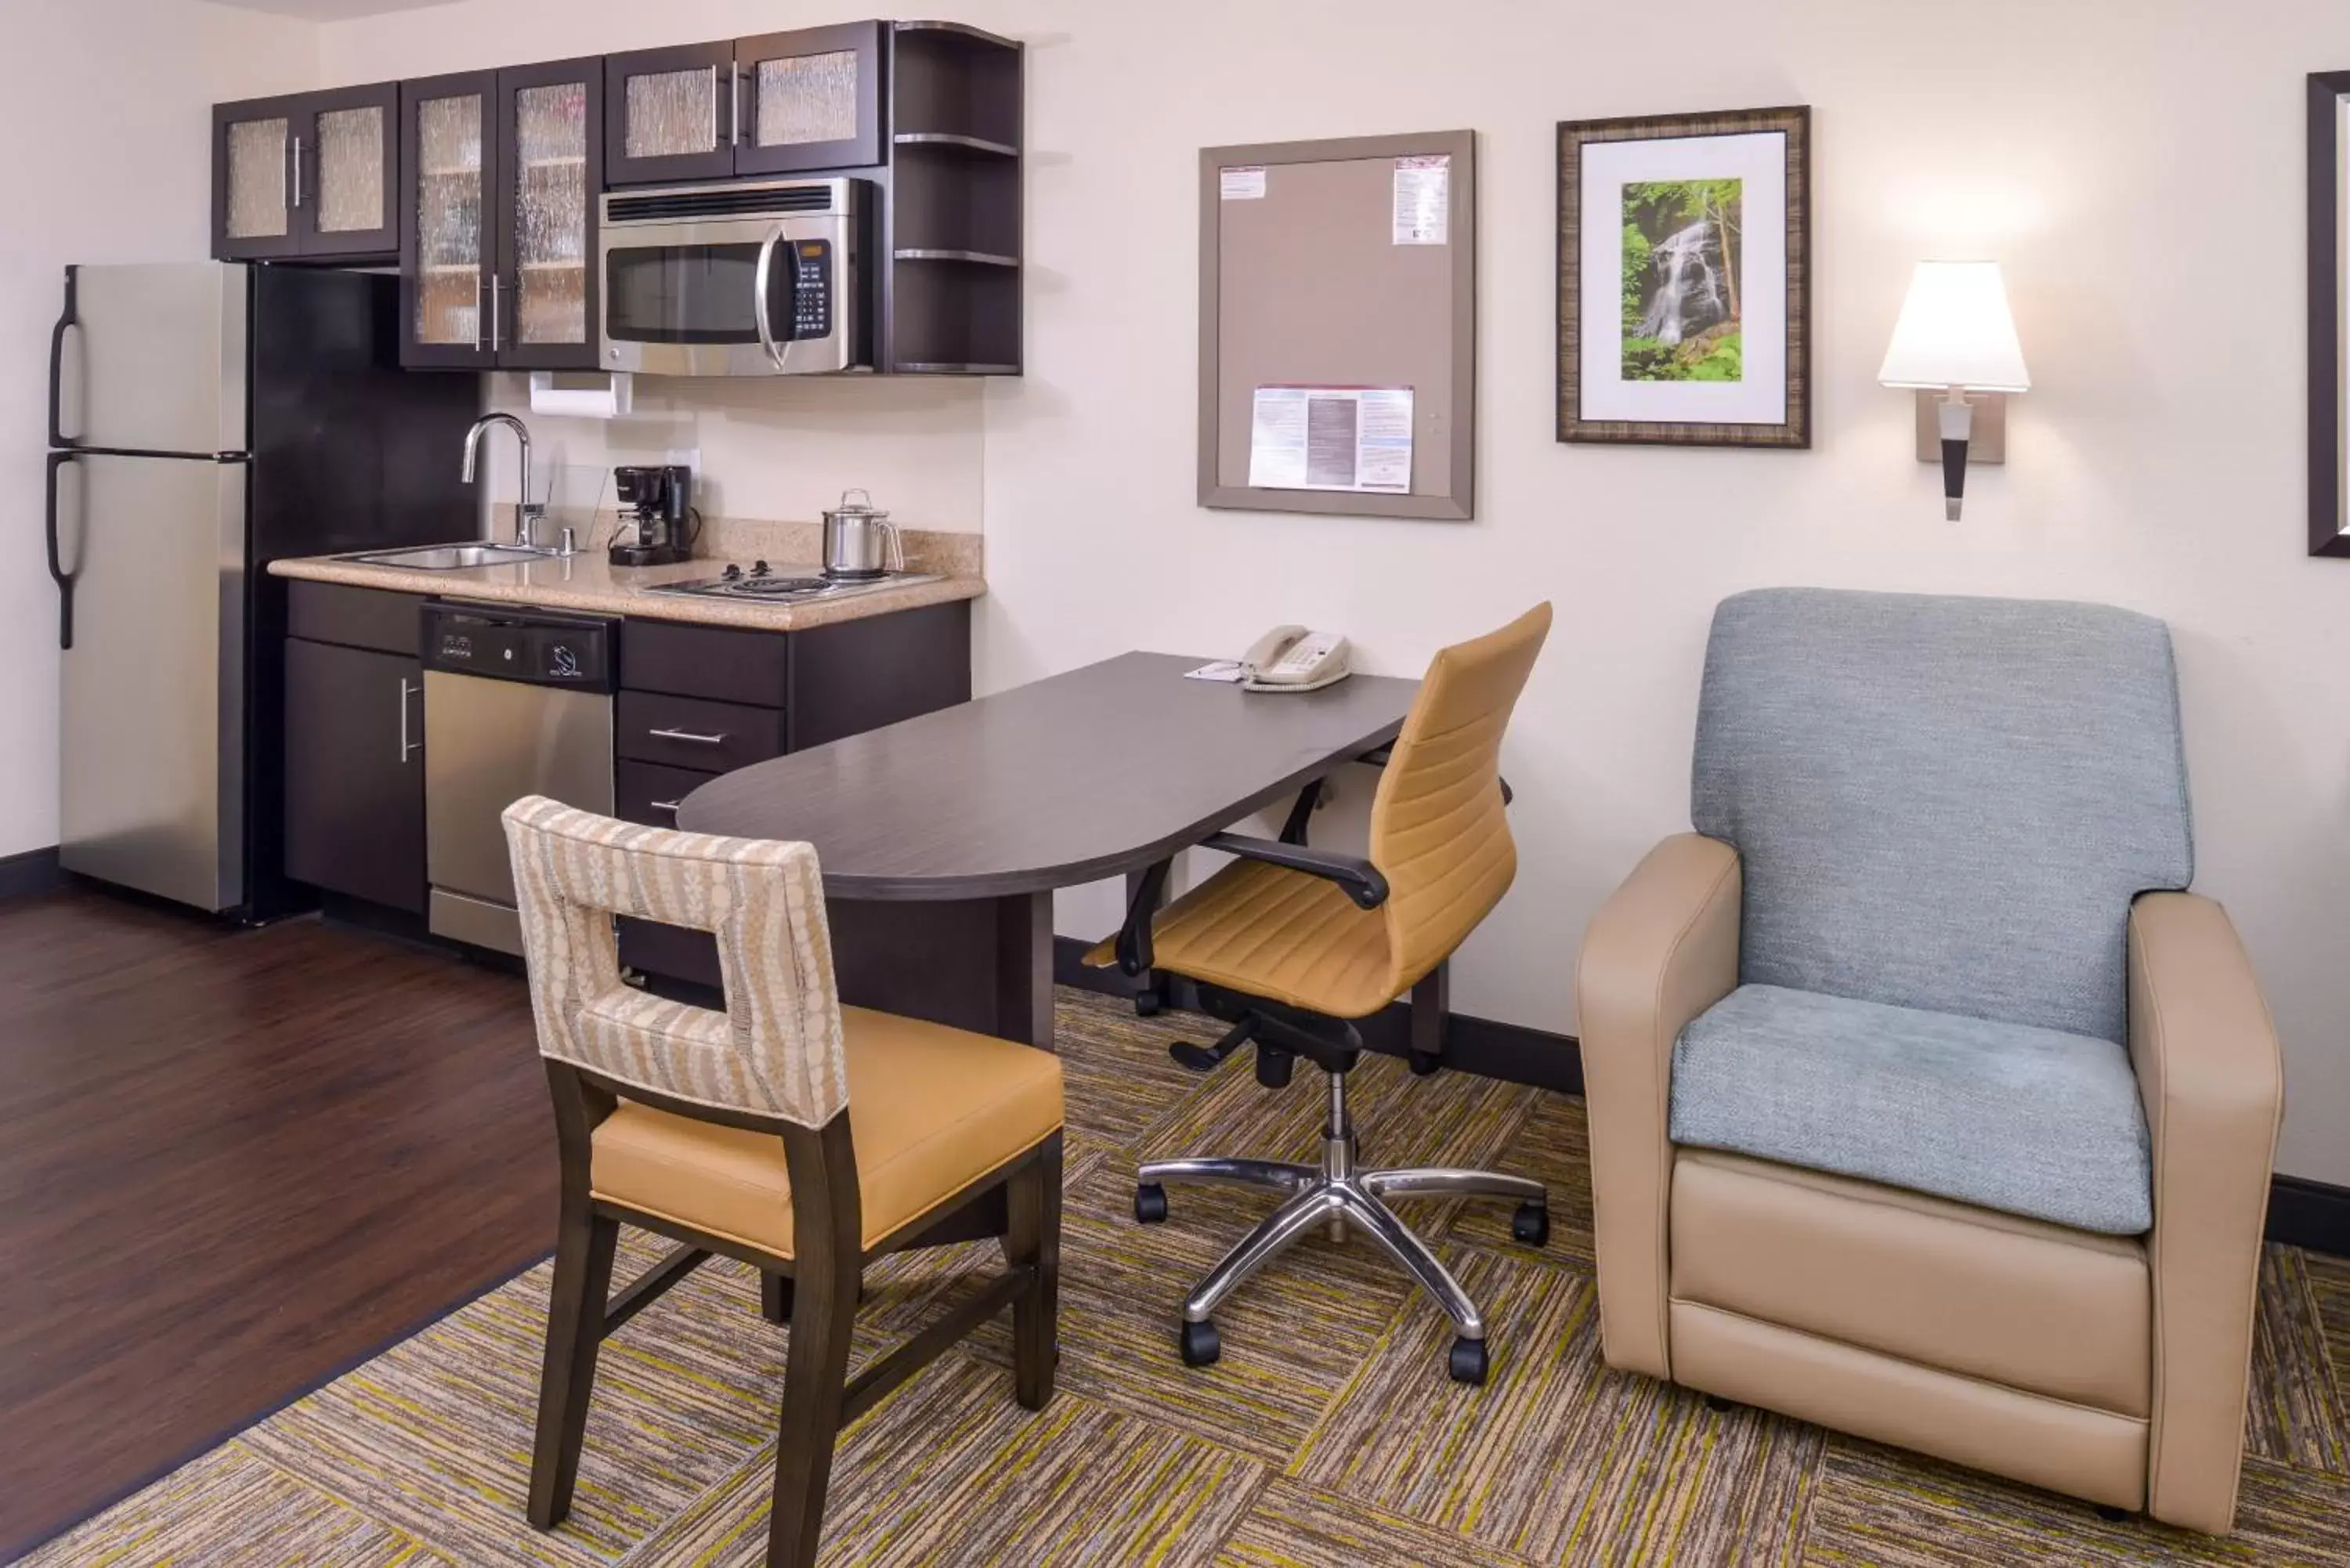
812, 100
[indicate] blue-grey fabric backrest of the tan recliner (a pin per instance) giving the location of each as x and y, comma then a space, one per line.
1945, 803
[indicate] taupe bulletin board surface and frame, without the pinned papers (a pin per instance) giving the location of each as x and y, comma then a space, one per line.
1296, 297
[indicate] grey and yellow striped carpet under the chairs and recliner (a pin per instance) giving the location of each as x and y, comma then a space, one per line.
1329, 1435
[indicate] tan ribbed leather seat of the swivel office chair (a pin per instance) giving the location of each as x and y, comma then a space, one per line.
1275, 934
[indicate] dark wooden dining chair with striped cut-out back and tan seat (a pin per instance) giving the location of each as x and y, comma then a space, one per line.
730, 1132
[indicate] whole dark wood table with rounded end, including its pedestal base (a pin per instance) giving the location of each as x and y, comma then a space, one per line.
946, 836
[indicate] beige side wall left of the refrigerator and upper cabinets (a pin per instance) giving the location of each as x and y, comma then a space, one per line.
107, 119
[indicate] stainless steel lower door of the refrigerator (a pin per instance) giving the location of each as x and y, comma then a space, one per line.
152, 791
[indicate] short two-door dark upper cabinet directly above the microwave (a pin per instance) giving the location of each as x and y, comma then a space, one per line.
772, 105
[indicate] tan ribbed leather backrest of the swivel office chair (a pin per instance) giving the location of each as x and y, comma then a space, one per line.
1437, 829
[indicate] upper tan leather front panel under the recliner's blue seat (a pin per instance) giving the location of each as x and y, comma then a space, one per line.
2022, 1304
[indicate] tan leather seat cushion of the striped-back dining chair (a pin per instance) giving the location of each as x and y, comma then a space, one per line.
932, 1111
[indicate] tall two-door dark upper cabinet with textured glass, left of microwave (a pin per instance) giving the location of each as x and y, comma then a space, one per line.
499, 215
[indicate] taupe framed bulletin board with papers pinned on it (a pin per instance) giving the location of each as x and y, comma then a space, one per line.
1334, 279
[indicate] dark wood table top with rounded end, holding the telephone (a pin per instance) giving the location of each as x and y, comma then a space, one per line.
1070, 779
